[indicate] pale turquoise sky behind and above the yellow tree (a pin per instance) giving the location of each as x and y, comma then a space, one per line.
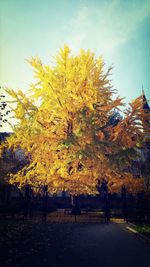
117, 30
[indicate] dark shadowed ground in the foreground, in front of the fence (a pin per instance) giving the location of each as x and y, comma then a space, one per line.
70, 244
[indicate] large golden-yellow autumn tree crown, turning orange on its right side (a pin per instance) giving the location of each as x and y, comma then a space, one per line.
64, 126
